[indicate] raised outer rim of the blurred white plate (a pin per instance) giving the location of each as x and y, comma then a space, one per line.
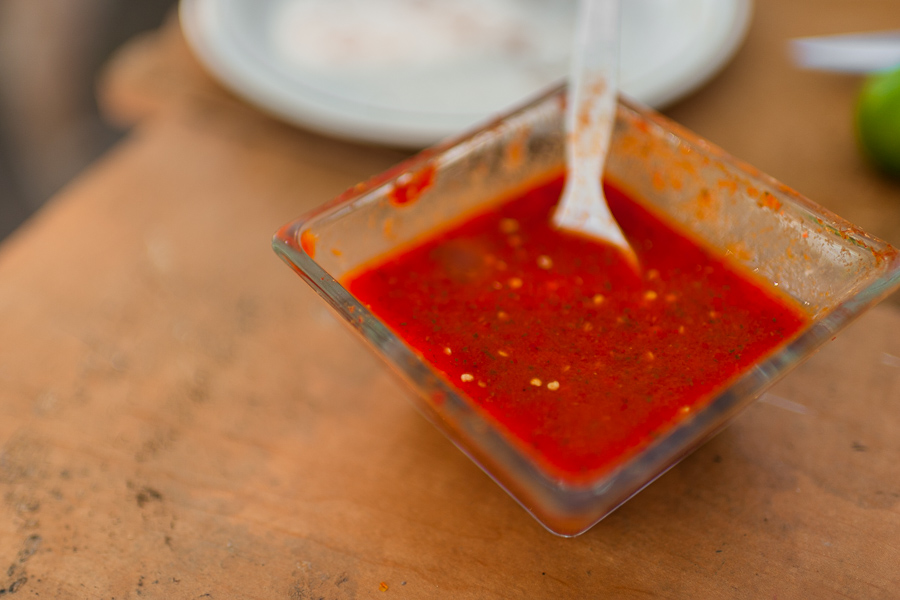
309, 108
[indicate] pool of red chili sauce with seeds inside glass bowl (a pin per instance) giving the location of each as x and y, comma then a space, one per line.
553, 336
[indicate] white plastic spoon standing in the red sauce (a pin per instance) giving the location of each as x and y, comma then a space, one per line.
590, 116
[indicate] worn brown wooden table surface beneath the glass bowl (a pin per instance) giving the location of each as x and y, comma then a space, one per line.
180, 417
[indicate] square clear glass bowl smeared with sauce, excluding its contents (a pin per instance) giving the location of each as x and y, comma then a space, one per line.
831, 268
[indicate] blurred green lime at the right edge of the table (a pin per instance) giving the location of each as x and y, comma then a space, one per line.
878, 120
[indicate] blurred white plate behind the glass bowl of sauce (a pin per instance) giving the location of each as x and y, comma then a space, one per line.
411, 72
